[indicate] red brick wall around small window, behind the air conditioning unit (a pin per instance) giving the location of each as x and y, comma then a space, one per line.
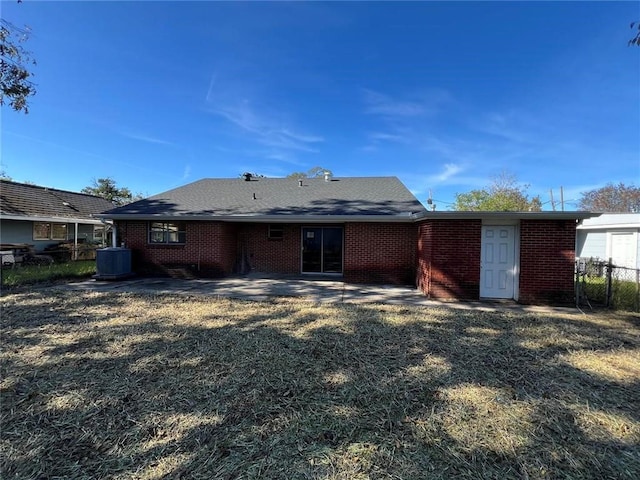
210, 248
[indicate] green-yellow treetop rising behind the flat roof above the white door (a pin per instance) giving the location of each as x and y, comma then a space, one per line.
503, 195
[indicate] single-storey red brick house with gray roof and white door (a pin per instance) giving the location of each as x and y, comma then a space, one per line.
365, 230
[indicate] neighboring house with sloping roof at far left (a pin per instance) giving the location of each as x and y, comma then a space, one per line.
41, 216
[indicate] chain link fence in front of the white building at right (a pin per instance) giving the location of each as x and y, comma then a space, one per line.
601, 283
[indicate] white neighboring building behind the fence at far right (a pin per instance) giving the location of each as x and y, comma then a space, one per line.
614, 236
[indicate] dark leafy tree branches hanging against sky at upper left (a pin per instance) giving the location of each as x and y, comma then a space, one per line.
15, 84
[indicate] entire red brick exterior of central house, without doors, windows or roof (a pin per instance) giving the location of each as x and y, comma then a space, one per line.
441, 256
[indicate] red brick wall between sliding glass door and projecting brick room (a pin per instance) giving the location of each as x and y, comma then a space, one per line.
380, 253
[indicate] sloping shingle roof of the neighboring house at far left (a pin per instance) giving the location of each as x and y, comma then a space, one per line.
21, 199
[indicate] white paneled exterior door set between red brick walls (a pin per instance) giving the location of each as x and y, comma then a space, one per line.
497, 266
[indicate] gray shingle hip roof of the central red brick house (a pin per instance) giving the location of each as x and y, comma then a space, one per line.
280, 196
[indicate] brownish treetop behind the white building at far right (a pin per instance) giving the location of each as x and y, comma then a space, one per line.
611, 199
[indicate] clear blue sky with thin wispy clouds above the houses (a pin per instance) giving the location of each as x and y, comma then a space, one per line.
443, 95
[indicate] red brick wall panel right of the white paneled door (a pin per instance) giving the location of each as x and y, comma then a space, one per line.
547, 256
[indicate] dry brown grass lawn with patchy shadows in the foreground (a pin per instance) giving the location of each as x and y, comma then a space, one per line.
124, 386
